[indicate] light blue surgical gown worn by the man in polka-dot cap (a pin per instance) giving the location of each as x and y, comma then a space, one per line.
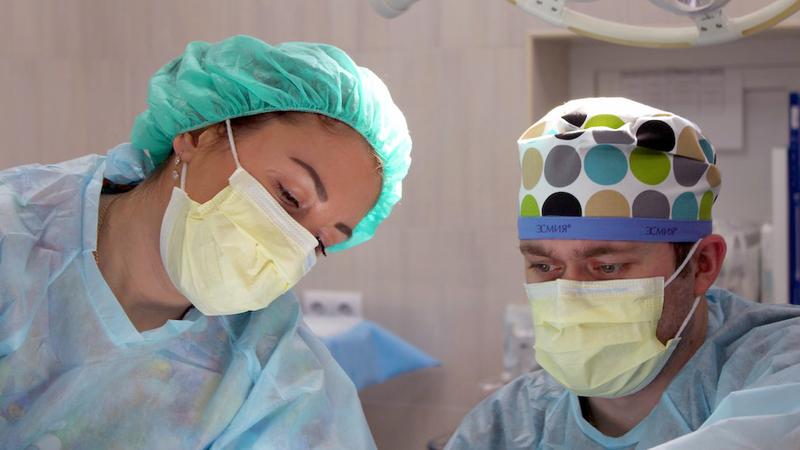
746, 374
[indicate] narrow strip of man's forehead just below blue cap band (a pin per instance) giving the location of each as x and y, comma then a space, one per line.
547, 247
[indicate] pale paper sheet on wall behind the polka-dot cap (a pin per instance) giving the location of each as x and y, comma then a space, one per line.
711, 97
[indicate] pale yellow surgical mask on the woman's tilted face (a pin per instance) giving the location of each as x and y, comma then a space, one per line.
238, 251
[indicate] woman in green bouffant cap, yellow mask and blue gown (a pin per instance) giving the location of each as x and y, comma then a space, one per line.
144, 295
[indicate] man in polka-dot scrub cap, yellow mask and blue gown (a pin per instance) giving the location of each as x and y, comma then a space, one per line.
637, 348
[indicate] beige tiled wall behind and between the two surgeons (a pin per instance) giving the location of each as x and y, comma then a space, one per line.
73, 75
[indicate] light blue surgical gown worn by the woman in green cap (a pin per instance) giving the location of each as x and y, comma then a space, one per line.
75, 373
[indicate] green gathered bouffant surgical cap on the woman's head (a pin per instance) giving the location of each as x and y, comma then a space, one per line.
242, 76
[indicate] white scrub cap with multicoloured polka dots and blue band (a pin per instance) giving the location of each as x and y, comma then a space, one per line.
616, 170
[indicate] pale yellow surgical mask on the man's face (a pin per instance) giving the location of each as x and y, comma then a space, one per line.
598, 338
